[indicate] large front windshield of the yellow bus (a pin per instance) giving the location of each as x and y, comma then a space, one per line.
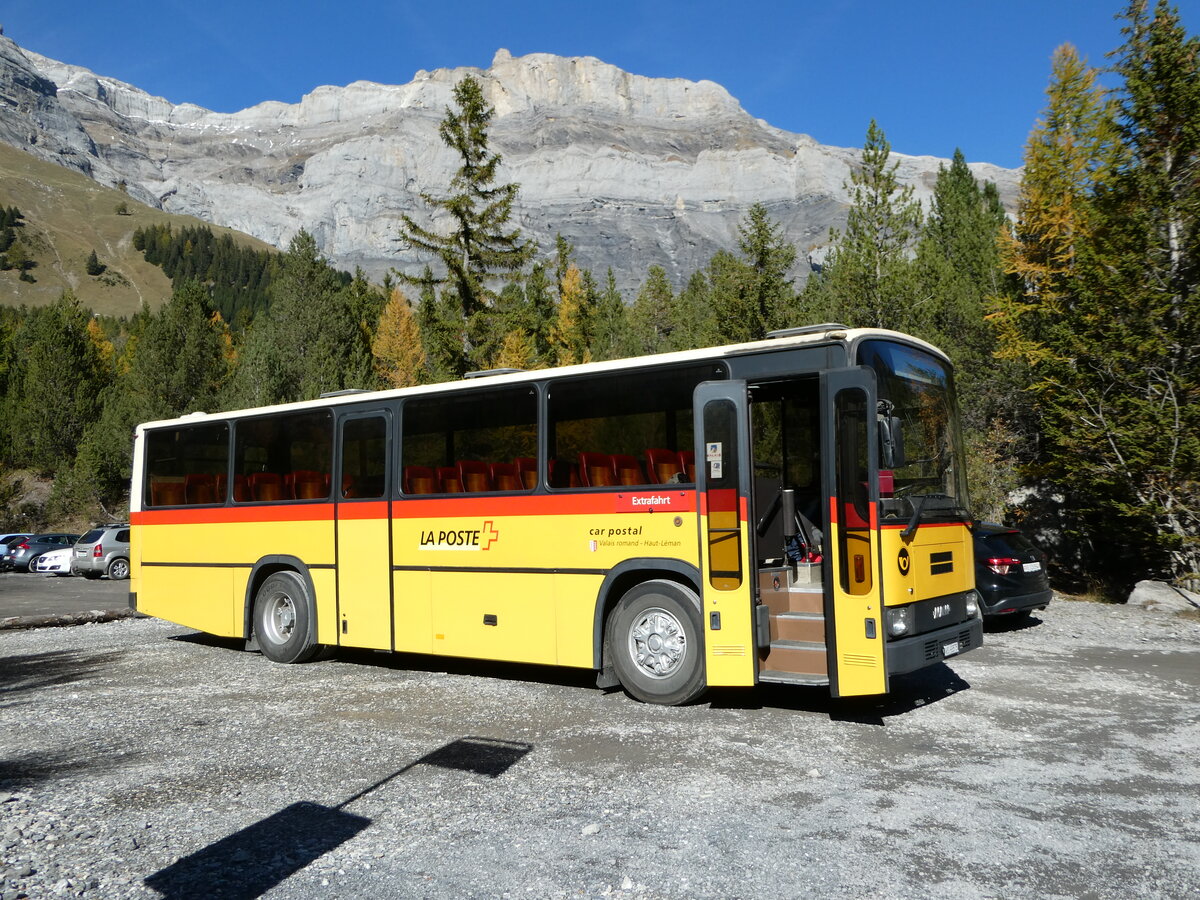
917, 391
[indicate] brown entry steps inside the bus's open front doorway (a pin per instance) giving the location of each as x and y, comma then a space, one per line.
796, 614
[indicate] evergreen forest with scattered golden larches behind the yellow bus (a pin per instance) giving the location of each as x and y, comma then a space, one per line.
1072, 321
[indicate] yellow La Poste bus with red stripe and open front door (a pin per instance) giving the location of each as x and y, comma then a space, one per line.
787, 511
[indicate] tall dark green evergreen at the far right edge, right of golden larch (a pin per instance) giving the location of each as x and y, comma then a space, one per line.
1136, 380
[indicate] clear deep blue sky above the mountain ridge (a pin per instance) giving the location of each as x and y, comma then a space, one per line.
937, 75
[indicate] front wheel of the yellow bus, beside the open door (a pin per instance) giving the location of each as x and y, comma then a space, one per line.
657, 644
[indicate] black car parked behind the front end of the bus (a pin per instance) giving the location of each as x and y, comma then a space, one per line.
1011, 573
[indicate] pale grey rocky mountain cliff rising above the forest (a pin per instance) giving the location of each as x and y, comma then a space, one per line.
633, 171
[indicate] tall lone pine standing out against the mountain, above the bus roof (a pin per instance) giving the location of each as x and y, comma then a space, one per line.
481, 249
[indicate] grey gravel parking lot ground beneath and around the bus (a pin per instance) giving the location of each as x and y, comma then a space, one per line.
141, 760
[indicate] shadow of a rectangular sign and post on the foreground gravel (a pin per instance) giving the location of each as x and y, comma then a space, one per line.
251, 862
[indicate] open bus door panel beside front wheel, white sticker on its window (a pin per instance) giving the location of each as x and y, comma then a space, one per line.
723, 483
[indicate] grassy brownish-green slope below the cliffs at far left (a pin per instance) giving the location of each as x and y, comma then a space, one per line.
68, 215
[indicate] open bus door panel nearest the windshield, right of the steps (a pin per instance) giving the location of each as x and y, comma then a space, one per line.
855, 623
